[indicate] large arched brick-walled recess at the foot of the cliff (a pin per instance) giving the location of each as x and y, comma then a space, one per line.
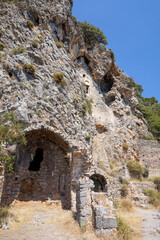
43, 171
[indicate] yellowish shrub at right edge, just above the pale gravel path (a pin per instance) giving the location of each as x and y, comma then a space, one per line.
154, 196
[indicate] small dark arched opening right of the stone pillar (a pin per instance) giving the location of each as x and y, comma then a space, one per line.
99, 183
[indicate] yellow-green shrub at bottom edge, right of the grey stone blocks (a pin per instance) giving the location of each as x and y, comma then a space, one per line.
123, 230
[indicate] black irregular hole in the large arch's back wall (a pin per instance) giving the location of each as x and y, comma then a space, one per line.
36, 163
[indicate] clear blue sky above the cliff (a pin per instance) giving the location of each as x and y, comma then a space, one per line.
132, 28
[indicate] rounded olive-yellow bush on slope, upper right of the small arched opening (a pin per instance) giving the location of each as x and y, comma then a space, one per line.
135, 169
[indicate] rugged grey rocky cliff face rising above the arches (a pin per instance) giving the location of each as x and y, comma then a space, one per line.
109, 135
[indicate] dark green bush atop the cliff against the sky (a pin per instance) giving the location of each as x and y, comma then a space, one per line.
92, 35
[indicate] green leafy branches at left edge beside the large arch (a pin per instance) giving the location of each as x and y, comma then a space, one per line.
11, 131
